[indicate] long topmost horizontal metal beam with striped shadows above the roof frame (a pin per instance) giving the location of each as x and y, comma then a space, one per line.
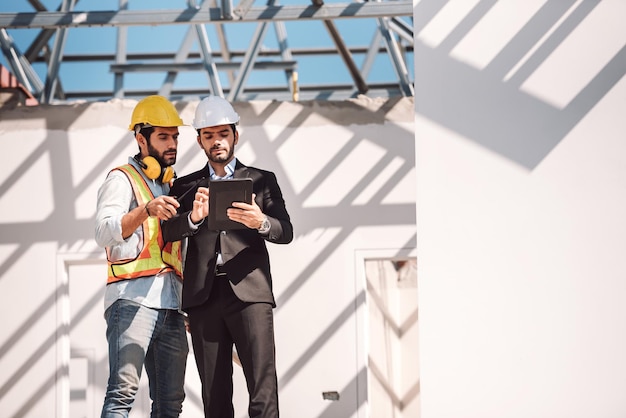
75, 19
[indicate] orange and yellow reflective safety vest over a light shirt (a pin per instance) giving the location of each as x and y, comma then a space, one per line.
156, 256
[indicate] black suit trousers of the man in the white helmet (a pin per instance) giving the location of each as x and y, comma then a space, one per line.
215, 326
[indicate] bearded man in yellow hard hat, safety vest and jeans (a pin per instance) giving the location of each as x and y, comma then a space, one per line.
142, 301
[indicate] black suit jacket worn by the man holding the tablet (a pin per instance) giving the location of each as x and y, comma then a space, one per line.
244, 253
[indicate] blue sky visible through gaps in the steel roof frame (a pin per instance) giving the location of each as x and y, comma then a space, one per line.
96, 75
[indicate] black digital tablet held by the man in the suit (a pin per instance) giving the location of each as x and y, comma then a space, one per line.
222, 194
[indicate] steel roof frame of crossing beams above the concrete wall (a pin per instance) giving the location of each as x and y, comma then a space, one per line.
392, 37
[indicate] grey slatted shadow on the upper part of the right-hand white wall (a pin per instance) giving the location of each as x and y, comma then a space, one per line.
496, 114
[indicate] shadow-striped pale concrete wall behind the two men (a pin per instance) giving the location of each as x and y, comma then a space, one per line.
347, 172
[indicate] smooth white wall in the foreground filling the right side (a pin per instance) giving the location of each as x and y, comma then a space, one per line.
521, 203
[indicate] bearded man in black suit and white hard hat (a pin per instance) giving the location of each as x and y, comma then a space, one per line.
227, 287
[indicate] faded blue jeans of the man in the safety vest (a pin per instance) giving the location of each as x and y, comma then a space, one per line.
143, 337
